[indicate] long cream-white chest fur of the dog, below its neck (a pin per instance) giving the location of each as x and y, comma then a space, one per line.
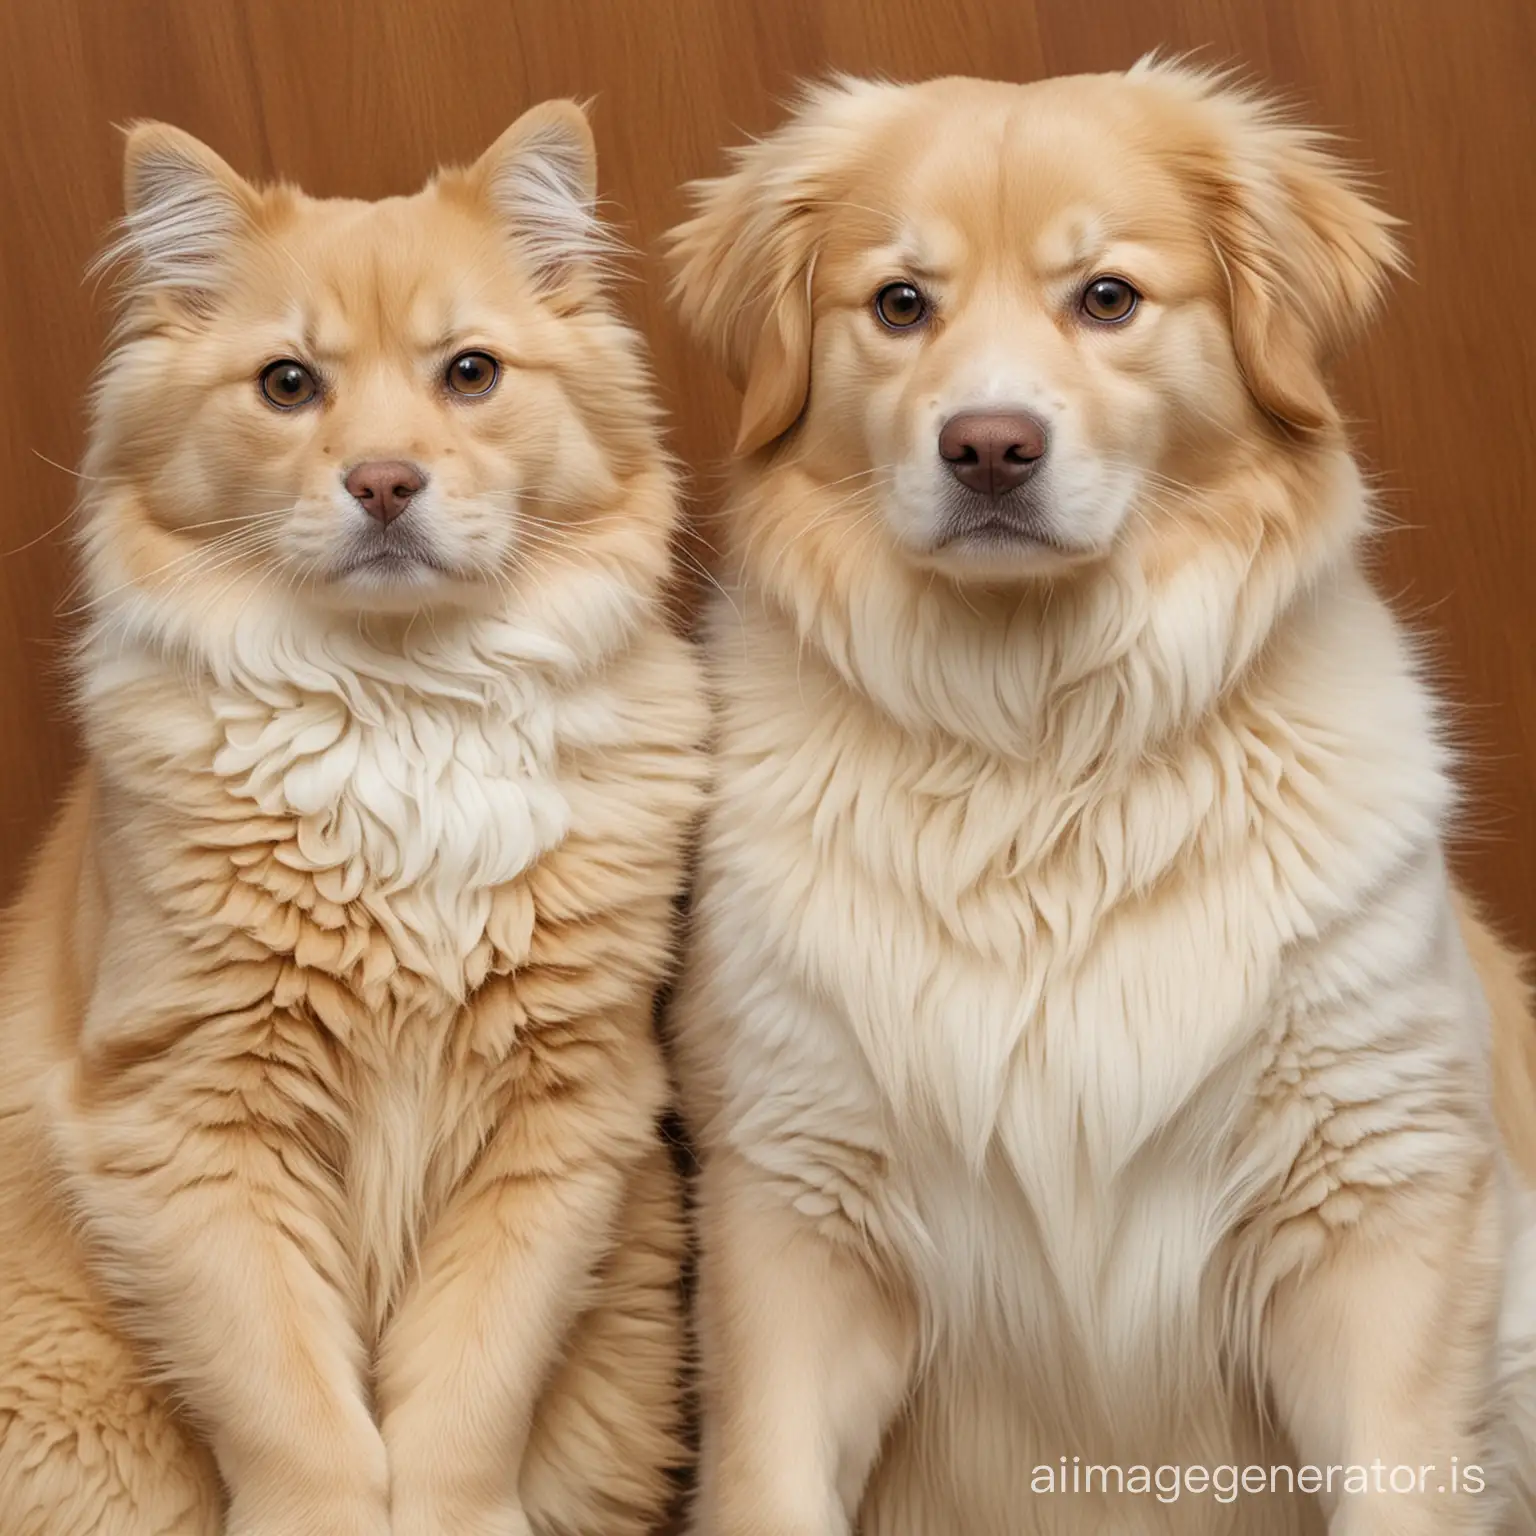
1050, 1048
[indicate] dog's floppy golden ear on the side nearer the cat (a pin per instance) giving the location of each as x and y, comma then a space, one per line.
744, 265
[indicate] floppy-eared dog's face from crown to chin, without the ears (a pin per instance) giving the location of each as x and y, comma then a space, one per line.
1013, 325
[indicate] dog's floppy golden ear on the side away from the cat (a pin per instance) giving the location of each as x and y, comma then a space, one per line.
1306, 254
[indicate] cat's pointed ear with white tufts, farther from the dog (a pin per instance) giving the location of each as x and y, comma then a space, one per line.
187, 214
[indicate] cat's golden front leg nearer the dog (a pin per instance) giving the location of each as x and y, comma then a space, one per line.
503, 1277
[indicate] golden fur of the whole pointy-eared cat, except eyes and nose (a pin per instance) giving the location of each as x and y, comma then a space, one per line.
333, 1196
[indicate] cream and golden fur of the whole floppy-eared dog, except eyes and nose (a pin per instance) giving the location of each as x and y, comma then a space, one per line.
1078, 1028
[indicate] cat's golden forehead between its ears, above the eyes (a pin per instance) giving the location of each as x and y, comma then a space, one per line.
406, 273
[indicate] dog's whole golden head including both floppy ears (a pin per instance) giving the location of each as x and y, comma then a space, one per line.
1025, 320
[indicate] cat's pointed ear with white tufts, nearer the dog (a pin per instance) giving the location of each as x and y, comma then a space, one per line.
541, 182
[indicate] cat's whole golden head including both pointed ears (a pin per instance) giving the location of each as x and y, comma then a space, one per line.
366, 406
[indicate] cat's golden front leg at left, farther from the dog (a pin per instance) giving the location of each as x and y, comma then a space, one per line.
213, 1222
